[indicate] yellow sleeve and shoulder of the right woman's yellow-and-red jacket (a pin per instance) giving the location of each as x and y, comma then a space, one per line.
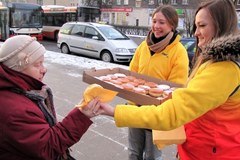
205, 92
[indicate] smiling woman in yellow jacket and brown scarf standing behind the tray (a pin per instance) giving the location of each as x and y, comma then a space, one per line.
161, 56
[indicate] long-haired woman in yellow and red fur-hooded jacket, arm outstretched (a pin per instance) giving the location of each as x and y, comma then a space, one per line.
209, 105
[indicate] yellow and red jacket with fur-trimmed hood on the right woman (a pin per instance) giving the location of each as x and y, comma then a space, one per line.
209, 106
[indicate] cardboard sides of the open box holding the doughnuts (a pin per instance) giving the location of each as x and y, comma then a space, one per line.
89, 76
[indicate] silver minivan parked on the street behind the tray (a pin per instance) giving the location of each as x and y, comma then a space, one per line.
96, 40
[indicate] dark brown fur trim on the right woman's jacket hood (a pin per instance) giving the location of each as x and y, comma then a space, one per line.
224, 48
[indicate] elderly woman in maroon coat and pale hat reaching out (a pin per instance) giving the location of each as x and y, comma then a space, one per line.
28, 125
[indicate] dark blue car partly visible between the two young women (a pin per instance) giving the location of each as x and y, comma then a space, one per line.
190, 45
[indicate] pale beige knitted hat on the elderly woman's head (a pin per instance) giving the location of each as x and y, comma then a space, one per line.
20, 51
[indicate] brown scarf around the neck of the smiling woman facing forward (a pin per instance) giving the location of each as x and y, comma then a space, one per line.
158, 47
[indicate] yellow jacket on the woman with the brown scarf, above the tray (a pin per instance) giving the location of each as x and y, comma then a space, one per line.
171, 64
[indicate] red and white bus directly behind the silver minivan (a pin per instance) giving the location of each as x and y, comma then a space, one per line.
55, 16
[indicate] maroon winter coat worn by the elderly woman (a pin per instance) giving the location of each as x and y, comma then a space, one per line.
24, 132
